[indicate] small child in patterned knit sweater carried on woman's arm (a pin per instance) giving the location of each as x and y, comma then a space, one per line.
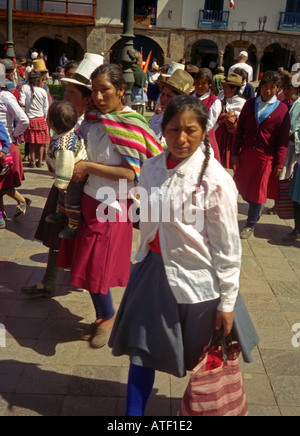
65, 150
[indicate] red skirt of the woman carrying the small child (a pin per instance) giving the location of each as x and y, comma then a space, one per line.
99, 255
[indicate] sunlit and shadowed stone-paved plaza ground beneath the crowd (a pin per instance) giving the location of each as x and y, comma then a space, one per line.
46, 370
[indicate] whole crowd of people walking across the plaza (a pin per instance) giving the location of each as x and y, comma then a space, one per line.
186, 282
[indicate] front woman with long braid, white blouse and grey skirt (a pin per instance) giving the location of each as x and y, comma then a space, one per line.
187, 282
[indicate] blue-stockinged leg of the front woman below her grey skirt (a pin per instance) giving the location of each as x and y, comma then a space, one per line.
140, 384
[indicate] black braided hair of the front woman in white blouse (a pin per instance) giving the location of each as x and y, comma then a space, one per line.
183, 103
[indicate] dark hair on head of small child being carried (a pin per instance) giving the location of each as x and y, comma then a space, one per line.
62, 115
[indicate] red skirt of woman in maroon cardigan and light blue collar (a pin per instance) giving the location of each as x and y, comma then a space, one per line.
254, 178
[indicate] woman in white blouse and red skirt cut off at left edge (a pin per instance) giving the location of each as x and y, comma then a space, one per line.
15, 122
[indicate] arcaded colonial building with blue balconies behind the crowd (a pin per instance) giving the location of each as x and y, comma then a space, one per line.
201, 31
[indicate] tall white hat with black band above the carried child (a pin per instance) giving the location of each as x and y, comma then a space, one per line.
84, 70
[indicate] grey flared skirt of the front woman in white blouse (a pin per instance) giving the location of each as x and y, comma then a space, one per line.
160, 334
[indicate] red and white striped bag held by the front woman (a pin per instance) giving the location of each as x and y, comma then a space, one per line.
216, 386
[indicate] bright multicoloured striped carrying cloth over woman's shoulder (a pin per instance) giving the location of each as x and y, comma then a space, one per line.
130, 133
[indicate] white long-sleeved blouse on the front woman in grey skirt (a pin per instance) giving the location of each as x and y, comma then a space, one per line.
202, 258
